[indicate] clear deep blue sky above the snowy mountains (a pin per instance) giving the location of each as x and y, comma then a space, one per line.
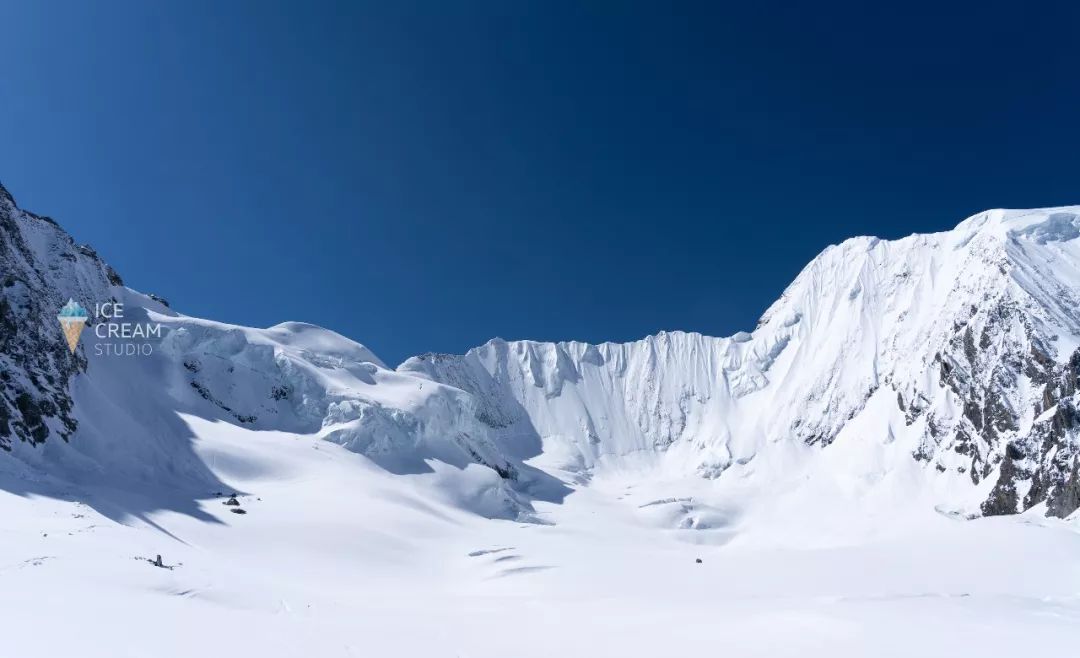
423, 178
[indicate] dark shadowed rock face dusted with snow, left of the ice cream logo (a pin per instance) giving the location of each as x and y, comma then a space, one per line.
40, 268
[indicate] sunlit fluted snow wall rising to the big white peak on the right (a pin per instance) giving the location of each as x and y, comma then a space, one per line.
960, 348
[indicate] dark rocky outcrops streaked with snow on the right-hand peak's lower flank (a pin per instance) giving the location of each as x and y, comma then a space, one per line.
1030, 449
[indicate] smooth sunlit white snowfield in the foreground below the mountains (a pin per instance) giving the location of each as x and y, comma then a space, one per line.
336, 557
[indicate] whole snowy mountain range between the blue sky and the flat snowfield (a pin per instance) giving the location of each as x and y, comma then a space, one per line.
952, 356
